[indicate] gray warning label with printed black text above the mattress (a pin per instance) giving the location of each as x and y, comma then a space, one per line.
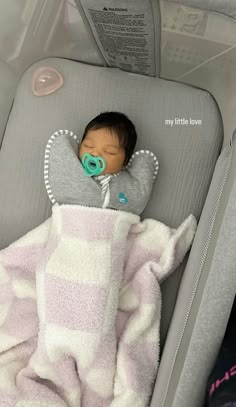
124, 32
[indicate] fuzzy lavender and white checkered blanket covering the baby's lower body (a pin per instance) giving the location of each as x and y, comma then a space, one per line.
80, 306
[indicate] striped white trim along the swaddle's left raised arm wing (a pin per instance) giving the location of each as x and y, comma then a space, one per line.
47, 157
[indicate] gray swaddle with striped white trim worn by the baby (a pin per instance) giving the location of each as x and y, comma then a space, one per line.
66, 182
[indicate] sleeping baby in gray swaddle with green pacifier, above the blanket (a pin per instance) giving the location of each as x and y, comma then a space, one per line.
108, 173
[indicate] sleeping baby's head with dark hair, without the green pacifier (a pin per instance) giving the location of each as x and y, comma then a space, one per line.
111, 136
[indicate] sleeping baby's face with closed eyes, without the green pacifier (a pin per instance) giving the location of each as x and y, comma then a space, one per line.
104, 143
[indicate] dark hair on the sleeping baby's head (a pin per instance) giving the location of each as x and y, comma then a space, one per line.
122, 127
